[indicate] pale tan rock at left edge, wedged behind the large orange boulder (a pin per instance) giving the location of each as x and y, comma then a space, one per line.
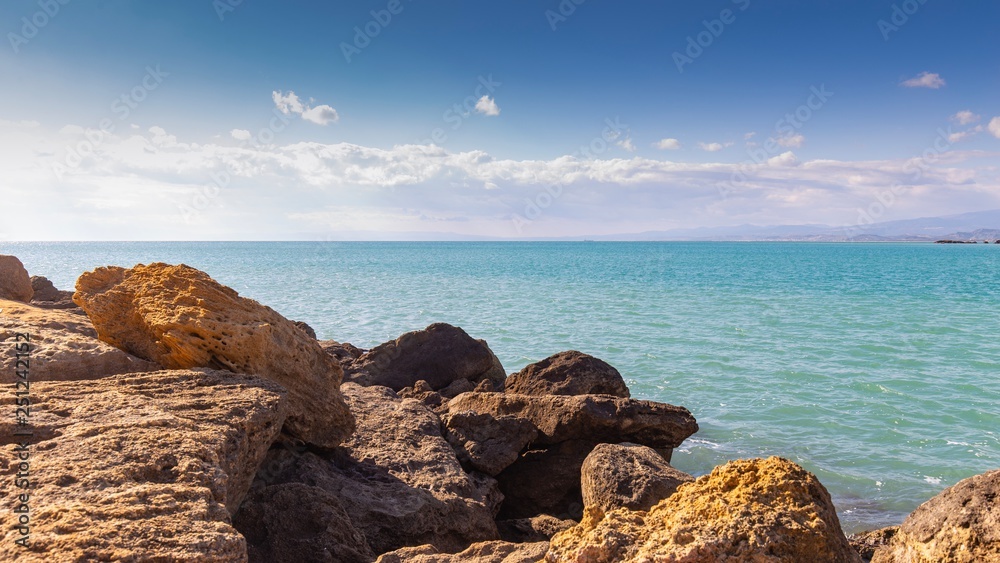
64, 346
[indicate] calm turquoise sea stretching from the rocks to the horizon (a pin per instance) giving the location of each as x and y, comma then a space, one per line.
874, 366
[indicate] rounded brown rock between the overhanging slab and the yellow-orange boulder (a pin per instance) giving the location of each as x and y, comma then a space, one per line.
627, 476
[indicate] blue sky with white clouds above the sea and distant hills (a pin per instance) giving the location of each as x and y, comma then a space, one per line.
408, 119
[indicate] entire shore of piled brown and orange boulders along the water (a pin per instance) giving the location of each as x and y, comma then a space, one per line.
172, 419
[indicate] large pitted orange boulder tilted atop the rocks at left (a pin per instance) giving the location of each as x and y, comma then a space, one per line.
180, 318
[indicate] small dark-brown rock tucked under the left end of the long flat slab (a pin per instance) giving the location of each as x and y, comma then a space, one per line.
486, 443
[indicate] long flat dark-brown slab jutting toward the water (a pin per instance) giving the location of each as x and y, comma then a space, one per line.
597, 418
